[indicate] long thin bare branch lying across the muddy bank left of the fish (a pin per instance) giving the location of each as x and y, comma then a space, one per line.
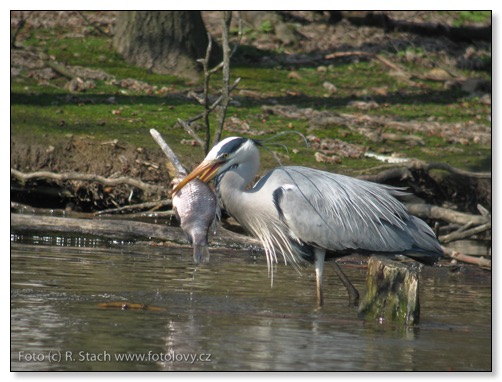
86, 177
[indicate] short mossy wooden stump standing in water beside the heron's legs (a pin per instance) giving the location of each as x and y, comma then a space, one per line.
391, 292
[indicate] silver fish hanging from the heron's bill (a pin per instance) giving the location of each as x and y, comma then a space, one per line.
197, 210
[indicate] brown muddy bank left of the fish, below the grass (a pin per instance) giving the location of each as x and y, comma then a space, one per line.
86, 155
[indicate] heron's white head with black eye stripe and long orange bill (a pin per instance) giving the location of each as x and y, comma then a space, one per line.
229, 153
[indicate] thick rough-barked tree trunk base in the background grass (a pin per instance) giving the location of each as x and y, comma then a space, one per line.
165, 42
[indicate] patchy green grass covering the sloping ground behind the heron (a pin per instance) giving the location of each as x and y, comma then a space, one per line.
49, 112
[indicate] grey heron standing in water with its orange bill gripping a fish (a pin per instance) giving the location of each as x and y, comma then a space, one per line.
304, 213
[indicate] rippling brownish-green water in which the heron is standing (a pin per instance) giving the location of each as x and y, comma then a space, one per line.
225, 315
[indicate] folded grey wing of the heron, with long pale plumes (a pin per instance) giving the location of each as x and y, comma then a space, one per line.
340, 213
